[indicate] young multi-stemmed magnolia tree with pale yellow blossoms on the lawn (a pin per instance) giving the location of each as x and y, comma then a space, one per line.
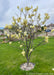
26, 25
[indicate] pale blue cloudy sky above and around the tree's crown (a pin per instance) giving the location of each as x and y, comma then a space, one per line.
8, 8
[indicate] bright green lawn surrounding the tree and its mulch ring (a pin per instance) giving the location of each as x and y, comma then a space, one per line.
11, 59
